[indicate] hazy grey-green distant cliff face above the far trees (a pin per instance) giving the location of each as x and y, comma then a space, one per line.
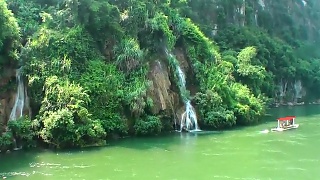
278, 17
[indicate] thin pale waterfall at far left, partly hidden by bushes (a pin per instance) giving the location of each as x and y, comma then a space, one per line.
17, 110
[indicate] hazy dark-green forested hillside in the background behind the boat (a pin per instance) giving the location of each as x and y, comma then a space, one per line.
285, 34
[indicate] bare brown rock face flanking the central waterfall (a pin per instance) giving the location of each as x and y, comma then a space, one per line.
164, 91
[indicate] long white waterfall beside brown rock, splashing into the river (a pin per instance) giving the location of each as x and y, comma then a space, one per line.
189, 121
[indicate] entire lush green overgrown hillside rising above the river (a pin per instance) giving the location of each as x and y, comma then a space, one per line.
97, 68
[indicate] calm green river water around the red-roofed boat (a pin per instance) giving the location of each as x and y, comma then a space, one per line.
243, 153
